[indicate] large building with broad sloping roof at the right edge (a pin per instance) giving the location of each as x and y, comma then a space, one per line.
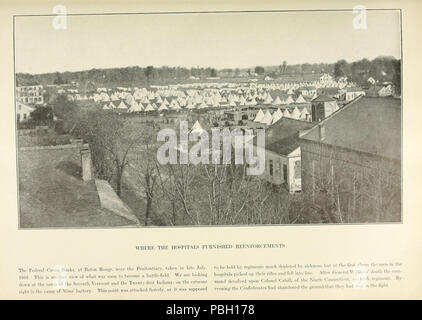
351, 162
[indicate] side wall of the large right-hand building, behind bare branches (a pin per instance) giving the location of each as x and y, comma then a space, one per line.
362, 187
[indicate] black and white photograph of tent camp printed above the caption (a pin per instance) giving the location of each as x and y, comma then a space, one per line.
208, 118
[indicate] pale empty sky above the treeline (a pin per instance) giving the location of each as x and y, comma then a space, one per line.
218, 40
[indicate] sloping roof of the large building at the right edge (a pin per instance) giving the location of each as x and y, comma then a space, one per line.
371, 125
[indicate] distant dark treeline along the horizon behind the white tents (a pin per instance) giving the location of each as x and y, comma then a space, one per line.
381, 69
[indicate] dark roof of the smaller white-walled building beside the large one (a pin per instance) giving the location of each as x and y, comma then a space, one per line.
282, 137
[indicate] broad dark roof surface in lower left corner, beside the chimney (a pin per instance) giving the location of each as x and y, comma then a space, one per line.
52, 193
